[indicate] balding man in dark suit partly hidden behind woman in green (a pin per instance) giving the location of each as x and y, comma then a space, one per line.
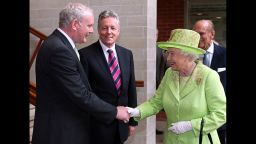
216, 57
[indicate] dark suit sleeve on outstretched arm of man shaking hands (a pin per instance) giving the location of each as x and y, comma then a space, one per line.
66, 74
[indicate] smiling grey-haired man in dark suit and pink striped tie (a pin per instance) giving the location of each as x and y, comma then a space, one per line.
119, 90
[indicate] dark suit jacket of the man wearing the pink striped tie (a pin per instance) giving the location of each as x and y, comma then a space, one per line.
100, 78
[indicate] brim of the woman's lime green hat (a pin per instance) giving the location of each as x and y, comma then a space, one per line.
167, 45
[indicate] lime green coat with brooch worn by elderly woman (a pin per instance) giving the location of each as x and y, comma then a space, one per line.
202, 97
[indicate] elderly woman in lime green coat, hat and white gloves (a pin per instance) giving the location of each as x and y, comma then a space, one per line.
189, 93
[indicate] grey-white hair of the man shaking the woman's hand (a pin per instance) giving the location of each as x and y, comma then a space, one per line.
72, 11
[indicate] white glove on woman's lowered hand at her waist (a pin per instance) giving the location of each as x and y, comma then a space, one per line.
180, 127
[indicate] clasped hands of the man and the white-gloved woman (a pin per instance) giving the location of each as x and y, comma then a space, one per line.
124, 113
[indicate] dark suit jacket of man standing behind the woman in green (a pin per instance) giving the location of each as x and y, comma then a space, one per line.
219, 61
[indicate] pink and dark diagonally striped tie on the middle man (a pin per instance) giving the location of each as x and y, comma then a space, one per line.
115, 70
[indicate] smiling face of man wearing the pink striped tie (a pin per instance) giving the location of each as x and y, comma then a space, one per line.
108, 31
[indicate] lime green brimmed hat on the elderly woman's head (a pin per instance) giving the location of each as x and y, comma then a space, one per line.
184, 39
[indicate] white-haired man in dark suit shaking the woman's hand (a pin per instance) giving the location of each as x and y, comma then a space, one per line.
64, 98
